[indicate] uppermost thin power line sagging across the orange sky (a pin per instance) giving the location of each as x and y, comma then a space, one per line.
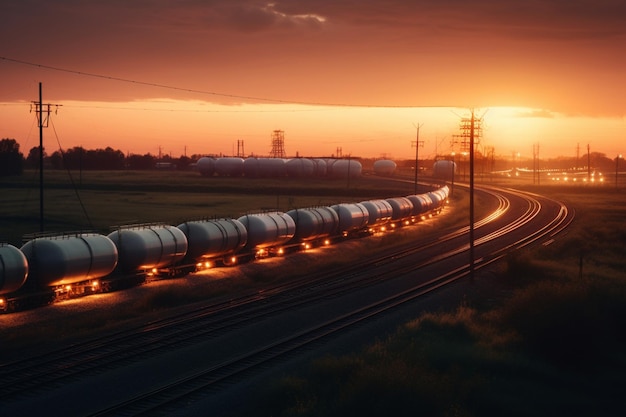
212, 93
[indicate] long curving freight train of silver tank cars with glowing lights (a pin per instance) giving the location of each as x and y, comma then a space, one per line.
48, 268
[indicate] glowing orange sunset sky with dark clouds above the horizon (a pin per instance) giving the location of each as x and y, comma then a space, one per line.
193, 76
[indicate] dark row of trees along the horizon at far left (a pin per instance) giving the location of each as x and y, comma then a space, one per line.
13, 161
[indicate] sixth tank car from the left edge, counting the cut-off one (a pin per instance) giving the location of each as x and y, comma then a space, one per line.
314, 223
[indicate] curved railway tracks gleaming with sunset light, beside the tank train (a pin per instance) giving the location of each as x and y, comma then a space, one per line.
163, 367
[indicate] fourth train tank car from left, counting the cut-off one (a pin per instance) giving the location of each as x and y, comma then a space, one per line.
209, 238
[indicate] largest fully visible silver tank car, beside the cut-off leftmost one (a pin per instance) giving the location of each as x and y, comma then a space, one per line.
68, 259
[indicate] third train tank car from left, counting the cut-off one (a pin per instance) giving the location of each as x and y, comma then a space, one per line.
145, 247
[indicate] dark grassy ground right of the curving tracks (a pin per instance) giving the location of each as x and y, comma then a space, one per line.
553, 344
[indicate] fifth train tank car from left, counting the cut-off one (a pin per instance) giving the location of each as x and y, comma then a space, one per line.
268, 229
